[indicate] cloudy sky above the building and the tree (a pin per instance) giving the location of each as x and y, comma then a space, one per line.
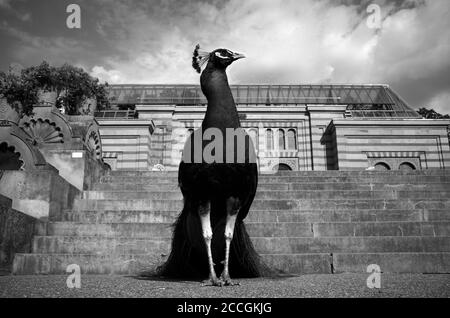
285, 41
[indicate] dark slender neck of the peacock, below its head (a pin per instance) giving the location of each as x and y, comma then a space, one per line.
221, 111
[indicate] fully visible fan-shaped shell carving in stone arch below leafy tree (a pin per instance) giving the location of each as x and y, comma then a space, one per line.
40, 131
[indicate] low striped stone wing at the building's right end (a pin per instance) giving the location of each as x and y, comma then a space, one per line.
362, 143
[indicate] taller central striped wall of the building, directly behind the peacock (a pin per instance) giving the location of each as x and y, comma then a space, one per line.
172, 125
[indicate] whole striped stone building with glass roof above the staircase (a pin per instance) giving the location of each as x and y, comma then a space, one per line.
294, 127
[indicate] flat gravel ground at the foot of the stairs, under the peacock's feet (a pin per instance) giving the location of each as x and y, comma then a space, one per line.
338, 285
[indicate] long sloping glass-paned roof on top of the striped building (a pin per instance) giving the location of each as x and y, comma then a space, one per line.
361, 100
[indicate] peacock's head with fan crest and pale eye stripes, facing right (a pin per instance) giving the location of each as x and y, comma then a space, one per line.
220, 58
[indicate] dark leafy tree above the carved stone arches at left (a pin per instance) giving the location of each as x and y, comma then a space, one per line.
72, 85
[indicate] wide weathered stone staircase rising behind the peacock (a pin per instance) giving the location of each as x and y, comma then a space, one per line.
300, 222
